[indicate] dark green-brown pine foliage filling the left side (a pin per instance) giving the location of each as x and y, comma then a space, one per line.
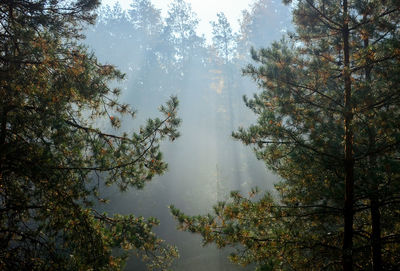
54, 157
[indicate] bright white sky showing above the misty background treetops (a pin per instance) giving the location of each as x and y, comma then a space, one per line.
206, 10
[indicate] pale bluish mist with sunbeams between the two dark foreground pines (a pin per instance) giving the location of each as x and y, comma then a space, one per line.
164, 56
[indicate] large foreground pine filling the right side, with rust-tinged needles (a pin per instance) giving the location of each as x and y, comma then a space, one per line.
328, 115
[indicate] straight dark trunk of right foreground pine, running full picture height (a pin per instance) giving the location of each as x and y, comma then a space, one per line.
348, 212
